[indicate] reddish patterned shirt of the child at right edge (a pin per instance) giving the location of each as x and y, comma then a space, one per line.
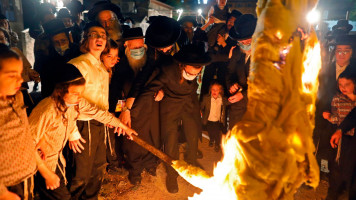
341, 106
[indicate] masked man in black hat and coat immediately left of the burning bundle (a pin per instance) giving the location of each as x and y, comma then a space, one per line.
239, 66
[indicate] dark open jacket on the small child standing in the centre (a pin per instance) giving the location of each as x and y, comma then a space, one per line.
205, 106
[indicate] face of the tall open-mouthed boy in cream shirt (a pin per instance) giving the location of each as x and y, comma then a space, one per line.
96, 40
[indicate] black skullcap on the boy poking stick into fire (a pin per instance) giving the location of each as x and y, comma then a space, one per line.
67, 73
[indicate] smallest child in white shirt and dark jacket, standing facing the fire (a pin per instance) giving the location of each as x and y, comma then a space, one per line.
213, 108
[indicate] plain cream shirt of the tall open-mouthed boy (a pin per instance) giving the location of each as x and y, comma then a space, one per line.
97, 81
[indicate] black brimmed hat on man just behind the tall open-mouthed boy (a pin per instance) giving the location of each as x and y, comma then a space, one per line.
104, 5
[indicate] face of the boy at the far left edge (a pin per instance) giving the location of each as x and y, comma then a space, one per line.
10, 76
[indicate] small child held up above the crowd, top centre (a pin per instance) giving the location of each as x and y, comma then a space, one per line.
218, 15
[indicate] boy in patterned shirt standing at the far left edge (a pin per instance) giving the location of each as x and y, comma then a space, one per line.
17, 151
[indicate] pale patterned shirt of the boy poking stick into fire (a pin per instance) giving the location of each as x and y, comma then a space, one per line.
51, 131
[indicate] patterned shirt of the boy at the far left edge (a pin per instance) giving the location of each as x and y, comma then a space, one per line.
17, 157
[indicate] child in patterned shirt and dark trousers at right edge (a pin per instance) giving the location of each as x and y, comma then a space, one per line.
342, 103
